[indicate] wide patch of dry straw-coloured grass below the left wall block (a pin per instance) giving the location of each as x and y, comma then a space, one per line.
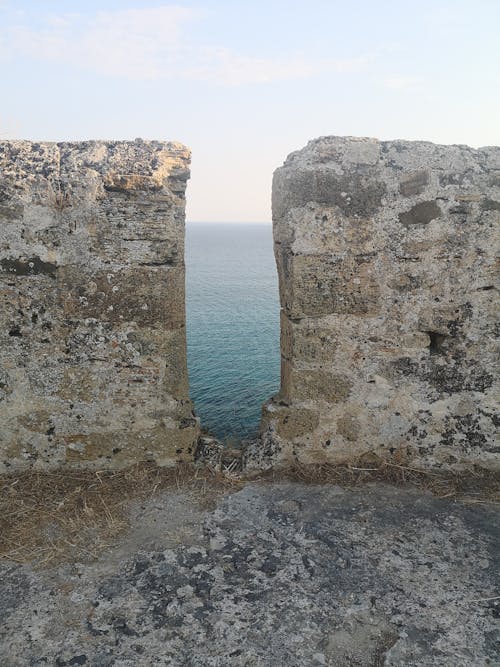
73, 515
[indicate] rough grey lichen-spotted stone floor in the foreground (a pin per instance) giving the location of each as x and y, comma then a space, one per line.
277, 574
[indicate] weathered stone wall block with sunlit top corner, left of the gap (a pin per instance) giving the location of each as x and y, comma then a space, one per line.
92, 325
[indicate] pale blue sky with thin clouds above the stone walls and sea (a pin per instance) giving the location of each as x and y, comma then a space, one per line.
243, 84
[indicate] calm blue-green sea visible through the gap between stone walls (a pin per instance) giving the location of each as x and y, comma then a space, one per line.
232, 325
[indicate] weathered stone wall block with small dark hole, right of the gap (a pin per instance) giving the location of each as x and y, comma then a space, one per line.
386, 261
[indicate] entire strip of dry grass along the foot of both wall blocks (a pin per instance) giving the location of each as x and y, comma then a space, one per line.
69, 515
